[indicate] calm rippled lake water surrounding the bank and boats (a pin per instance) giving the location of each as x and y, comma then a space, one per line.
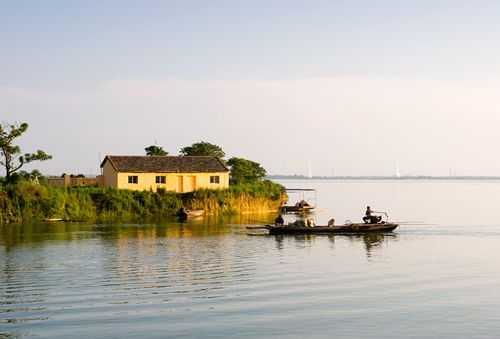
209, 278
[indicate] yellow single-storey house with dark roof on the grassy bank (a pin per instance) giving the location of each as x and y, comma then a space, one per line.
172, 173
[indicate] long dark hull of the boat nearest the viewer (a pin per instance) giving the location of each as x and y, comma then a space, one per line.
360, 228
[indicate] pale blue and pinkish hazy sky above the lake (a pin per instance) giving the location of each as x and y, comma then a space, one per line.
352, 87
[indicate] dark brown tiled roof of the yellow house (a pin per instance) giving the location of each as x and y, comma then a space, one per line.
165, 164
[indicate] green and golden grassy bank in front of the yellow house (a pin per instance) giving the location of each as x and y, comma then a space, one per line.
26, 201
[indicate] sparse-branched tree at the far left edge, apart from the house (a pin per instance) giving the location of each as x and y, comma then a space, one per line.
10, 155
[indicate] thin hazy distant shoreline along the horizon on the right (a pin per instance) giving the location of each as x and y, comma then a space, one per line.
402, 178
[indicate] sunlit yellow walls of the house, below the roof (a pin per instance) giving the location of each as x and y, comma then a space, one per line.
147, 181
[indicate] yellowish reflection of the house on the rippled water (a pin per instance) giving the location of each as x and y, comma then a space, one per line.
179, 256
